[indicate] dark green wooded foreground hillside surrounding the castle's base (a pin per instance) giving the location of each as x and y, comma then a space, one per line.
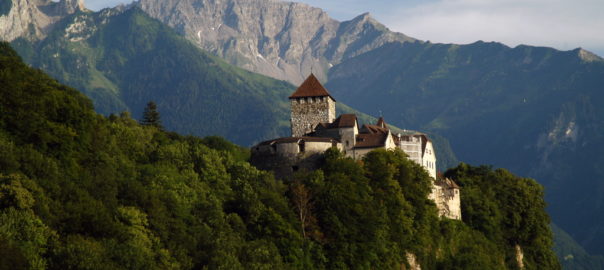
82, 191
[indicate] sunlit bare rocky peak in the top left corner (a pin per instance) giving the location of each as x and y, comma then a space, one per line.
33, 19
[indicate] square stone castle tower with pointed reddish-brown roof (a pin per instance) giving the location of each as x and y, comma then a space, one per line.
311, 104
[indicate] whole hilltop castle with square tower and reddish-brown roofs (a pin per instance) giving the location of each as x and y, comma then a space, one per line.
315, 128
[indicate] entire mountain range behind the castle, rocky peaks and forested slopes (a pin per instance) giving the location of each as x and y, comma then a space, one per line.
534, 110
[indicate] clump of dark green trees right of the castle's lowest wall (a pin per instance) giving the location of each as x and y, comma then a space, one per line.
509, 210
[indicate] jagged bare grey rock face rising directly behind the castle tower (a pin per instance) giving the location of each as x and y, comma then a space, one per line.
279, 39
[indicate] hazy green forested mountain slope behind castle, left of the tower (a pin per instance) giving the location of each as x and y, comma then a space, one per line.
122, 59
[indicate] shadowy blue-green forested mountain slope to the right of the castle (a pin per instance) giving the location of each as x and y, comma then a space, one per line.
537, 111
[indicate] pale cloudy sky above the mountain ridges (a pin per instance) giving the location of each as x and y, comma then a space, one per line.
562, 24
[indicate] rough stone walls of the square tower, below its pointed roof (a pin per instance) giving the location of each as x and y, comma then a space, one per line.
308, 112
